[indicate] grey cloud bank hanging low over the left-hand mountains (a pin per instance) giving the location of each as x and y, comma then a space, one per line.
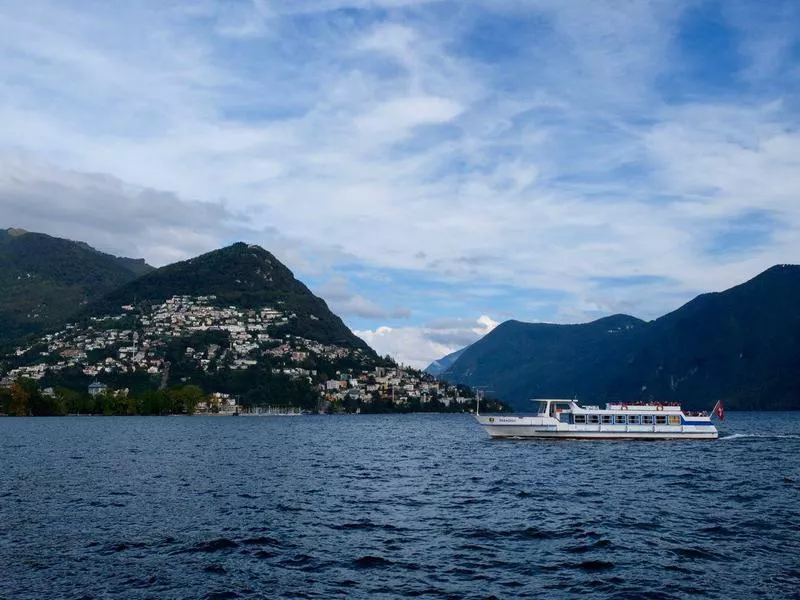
109, 214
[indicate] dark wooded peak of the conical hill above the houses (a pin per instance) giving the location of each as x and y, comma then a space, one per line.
242, 275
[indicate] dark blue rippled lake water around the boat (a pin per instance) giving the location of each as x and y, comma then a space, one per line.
392, 507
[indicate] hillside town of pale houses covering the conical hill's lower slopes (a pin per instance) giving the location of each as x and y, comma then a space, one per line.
215, 338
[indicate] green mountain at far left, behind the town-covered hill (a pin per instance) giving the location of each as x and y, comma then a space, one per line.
45, 280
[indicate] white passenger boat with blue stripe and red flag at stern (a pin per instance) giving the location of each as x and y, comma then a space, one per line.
566, 419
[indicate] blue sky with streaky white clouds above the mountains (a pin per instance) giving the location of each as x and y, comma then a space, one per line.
430, 168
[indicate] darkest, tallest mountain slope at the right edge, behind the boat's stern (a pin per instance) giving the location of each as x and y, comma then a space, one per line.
741, 345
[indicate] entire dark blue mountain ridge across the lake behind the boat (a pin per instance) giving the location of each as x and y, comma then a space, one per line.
741, 345
